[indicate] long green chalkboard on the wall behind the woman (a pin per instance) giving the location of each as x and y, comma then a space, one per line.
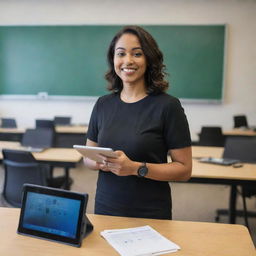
71, 60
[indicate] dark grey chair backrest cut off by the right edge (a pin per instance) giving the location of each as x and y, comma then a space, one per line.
241, 148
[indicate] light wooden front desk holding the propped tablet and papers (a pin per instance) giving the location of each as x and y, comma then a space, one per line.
195, 238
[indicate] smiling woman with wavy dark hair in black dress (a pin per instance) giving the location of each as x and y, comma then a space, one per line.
142, 124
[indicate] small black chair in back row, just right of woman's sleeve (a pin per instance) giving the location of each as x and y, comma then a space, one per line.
211, 136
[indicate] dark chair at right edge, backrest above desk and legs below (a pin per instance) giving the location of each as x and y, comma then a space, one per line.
243, 149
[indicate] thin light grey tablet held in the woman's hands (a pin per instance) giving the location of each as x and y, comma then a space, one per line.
95, 153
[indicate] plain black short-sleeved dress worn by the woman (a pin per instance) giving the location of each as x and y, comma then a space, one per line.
145, 131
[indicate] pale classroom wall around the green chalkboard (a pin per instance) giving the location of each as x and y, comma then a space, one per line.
240, 75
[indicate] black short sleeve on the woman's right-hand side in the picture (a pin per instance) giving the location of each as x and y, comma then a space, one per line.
176, 128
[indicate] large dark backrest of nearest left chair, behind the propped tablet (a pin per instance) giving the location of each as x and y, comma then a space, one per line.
20, 167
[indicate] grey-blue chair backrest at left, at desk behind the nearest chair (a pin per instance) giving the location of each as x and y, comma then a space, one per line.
38, 138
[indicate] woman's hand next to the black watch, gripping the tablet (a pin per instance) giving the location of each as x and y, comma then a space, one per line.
121, 166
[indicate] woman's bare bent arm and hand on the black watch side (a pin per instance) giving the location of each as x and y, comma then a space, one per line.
178, 170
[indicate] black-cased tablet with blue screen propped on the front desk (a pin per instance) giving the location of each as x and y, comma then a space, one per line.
54, 214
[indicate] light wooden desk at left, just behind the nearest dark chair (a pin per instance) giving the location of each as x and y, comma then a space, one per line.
59, 157
